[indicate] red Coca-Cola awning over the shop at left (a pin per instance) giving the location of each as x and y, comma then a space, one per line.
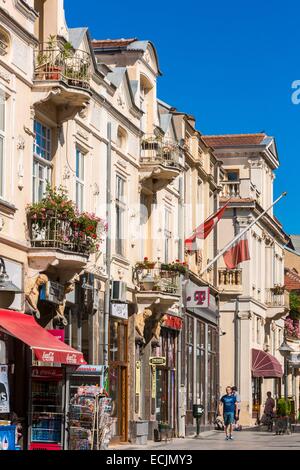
46, 347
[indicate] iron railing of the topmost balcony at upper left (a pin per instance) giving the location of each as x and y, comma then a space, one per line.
55, 62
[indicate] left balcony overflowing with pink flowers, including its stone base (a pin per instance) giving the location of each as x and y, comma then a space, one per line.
56, 241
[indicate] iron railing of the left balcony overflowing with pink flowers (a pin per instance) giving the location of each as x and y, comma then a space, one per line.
59, 233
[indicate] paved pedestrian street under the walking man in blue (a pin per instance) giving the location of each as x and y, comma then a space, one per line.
244, 440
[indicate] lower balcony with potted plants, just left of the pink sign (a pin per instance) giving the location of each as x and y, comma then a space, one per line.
157, 285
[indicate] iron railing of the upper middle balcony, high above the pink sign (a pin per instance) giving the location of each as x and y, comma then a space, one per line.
160, 151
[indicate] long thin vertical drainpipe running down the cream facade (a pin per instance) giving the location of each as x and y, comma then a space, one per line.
108, 246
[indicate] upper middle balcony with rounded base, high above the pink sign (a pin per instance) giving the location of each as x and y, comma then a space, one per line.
160, 162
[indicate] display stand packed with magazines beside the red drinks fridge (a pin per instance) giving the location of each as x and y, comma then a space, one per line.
89, 422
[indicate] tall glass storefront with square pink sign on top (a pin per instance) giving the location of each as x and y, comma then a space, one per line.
200, 355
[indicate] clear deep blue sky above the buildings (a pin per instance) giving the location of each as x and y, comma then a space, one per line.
229, 63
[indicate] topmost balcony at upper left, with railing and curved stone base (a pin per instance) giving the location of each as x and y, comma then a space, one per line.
62, 77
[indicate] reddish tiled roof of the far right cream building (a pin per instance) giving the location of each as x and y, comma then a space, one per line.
234, 140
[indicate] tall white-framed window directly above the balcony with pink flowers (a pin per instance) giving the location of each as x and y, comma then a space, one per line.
41, 174
